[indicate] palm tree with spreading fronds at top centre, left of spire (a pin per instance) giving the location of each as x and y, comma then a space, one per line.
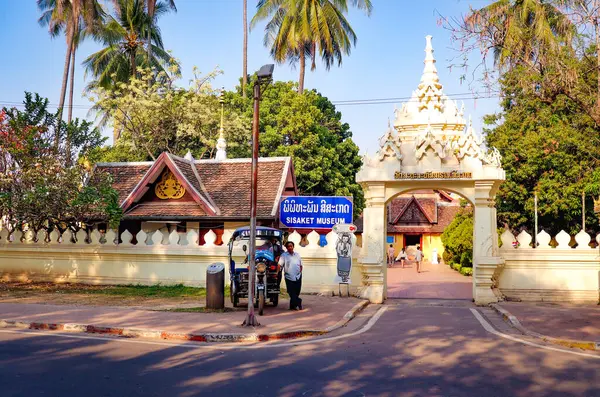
298, 29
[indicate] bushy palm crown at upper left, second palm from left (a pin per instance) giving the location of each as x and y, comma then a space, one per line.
123, 50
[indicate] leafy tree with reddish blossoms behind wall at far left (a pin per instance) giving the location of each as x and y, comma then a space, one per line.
41, 187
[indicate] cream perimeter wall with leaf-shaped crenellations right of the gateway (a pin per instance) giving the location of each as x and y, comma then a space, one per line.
560, 274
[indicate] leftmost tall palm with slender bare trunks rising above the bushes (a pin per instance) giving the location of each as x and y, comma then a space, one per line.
71, 17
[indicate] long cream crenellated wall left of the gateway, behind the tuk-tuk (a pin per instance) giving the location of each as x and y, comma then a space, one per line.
159, 258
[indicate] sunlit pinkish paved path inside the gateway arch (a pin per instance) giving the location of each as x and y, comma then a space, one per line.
434, 282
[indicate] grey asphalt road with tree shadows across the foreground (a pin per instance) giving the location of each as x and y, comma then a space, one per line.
412, 350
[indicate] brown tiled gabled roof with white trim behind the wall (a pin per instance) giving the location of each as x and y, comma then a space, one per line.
213, 188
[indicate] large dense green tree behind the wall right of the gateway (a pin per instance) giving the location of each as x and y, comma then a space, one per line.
548, 147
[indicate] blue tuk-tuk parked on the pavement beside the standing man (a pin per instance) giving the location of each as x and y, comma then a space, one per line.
268, 271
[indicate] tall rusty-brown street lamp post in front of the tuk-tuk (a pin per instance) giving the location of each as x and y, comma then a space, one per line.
264, 74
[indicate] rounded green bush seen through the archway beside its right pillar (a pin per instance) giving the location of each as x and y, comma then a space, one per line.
458, 239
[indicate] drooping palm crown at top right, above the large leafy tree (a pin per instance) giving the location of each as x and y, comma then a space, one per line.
521, 31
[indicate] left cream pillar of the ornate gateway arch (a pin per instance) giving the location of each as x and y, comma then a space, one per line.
372, 256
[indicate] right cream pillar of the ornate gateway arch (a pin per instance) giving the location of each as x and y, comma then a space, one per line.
487, 263
